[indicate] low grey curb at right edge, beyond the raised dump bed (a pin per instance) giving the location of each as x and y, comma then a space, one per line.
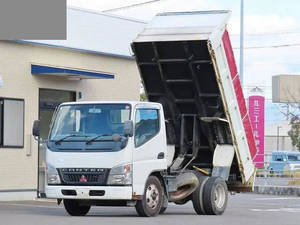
277, 190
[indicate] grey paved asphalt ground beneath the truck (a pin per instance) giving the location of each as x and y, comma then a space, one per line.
242, 209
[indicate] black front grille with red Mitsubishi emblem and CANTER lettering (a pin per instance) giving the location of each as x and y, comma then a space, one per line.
83, 176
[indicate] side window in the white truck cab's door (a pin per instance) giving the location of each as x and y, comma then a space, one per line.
146, 125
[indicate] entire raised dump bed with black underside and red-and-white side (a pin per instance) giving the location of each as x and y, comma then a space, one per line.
190, 69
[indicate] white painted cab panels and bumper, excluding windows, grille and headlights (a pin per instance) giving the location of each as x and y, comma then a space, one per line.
143, 158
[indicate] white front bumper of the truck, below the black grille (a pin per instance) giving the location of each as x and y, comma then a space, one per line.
84, 192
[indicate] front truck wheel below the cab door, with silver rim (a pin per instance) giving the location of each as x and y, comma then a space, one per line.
152, 200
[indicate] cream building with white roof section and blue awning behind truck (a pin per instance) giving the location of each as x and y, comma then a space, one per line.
94, 63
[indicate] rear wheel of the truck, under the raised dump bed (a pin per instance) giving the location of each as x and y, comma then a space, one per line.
215, 196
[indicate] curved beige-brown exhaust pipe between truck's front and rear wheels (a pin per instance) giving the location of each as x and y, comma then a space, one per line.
186, 184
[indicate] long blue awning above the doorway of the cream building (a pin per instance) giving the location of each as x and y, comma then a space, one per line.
69, 73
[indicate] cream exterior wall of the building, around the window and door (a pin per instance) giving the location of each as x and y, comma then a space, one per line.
19, 167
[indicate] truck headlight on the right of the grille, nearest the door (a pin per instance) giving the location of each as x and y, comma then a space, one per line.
120, 175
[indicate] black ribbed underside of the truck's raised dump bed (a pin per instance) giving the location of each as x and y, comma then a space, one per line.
180, 75
